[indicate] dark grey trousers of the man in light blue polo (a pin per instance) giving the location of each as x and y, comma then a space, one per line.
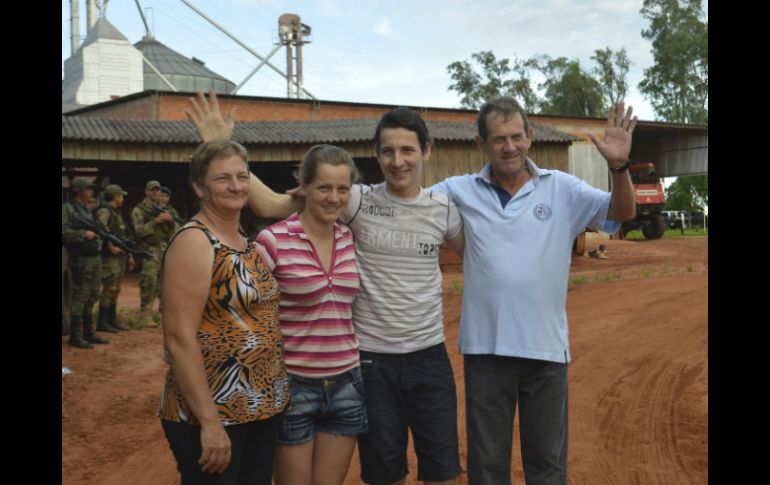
494, 385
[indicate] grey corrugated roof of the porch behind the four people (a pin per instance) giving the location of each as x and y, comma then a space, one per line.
78, 128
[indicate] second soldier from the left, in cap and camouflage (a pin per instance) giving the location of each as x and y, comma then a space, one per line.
114, 259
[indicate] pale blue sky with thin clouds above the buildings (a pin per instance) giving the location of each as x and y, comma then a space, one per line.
391, 52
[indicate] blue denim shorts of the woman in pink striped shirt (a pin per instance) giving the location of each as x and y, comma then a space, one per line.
333, 405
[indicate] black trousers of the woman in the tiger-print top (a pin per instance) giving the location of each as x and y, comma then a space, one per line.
252, 450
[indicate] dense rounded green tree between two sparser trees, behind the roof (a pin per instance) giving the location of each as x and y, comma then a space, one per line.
568, 89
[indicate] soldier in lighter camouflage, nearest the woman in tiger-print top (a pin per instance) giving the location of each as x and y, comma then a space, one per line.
152, 231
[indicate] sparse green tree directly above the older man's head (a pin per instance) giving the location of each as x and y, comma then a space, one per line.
496, 77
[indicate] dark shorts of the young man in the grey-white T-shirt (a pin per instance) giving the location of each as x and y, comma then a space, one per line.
409, 391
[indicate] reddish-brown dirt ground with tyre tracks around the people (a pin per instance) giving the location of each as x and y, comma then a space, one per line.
638, 379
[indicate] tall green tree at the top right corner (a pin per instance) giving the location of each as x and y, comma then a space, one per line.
677, 84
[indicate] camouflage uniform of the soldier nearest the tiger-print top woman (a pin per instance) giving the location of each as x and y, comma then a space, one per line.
154, 238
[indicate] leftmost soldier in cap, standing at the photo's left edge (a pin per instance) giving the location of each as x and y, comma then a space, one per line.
83, 248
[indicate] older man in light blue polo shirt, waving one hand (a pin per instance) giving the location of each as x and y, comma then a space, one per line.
520, 222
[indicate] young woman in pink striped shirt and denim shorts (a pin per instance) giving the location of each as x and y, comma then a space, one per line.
312, 257
